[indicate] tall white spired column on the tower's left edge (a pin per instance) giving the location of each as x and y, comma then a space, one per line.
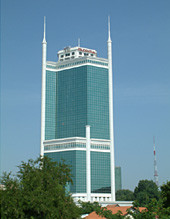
43, 88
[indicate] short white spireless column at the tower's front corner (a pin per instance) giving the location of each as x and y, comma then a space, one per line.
88, 164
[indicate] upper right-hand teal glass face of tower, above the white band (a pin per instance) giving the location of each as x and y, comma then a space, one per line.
98, 102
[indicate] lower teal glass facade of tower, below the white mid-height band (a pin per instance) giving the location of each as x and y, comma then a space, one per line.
100, 169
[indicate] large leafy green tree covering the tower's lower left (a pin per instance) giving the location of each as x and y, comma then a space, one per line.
38, 191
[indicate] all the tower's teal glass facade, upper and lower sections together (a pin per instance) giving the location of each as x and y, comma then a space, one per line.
77, 97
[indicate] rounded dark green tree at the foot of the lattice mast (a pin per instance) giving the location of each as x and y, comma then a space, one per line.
145, 192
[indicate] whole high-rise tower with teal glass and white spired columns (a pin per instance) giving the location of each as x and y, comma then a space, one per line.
77, 118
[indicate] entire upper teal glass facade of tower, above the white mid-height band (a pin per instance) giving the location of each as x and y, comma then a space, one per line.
75, 98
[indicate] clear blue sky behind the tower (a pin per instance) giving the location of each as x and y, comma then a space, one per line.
140, 32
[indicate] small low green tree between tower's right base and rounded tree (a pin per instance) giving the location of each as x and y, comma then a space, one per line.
124, 195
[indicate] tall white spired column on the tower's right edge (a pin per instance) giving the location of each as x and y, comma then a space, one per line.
112, 163
